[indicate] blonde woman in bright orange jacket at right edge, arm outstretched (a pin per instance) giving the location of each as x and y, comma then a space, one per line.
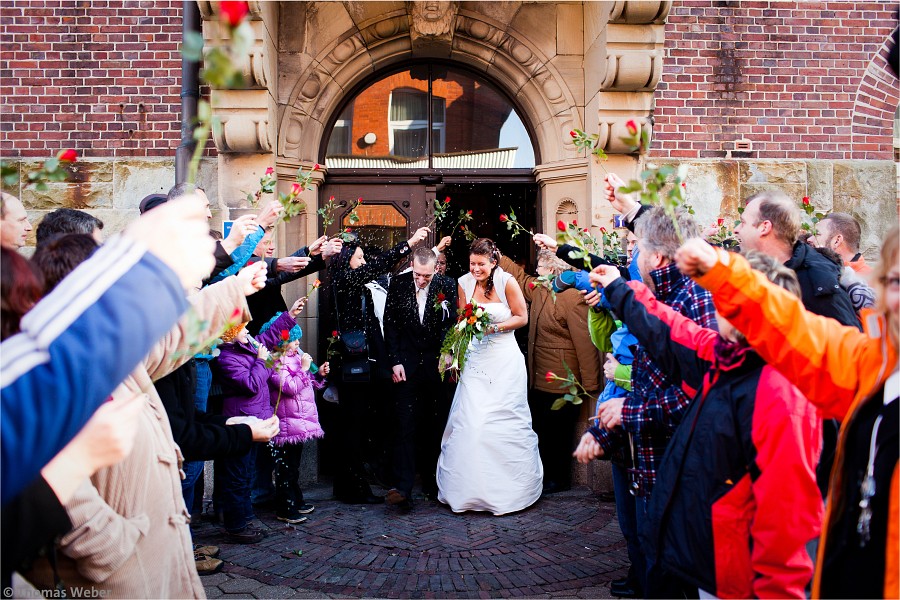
849, 375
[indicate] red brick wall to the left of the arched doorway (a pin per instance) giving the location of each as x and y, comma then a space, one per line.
99, 76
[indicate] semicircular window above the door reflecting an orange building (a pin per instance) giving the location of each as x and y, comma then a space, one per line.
387, 125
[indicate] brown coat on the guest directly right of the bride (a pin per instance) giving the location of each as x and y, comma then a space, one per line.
557, 332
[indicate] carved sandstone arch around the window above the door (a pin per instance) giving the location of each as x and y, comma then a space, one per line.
484, 45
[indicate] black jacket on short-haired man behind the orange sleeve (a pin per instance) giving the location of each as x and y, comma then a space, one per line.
820, 285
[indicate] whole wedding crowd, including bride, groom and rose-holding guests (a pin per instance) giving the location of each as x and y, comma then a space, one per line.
747, 401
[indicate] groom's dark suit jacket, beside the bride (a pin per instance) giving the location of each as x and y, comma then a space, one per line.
410, 343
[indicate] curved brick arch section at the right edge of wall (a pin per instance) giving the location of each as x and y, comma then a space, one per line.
877, 99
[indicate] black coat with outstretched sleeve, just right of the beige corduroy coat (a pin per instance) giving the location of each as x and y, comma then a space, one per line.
200, 435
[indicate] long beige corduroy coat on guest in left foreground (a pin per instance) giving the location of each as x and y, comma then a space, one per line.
130, 535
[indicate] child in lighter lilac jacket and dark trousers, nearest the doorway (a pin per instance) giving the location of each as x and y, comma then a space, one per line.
292, 387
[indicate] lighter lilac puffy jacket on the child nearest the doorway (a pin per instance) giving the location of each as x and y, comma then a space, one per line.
299, 418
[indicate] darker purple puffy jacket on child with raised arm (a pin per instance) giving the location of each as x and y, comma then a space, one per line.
244, 377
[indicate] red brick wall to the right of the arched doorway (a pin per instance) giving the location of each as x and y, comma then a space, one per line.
800, 80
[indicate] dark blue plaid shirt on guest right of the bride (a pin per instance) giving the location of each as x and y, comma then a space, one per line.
654, 407
